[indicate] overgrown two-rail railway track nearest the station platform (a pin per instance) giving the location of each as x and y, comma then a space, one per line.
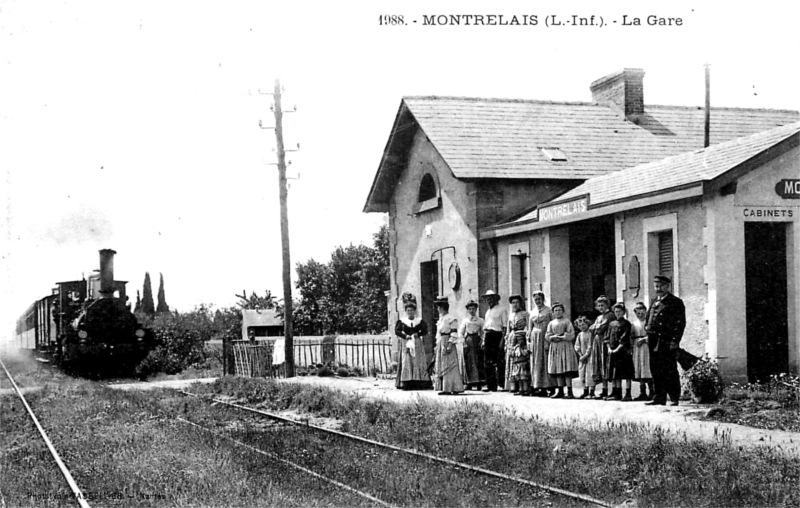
497, 479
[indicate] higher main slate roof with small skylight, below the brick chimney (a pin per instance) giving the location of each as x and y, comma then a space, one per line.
502, 138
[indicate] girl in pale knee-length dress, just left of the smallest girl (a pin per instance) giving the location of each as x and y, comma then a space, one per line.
561, 361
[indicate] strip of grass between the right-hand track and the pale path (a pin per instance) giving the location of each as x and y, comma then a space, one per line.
611, 461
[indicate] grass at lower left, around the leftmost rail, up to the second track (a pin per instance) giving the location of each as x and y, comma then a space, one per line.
124, 450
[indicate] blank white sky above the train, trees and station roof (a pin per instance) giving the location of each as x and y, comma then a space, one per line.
134, 125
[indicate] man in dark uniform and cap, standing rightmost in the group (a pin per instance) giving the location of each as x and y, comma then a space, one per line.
666, 320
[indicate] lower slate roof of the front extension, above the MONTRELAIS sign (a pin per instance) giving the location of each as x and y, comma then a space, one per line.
676, 171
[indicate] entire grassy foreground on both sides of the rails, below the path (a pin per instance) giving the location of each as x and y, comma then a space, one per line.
127, 449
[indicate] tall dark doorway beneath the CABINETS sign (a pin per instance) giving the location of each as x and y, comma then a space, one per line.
766, 299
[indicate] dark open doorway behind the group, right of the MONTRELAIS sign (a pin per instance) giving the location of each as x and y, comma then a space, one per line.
592, 270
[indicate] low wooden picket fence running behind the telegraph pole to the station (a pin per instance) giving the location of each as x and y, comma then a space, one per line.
372, 354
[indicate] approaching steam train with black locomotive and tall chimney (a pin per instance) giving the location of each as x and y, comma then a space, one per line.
86, 326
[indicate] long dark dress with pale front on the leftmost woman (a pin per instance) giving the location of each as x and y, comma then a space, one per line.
413, 364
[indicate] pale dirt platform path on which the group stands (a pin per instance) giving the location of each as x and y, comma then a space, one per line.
680, 420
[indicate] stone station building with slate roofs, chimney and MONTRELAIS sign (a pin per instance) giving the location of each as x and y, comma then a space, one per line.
580, 199
